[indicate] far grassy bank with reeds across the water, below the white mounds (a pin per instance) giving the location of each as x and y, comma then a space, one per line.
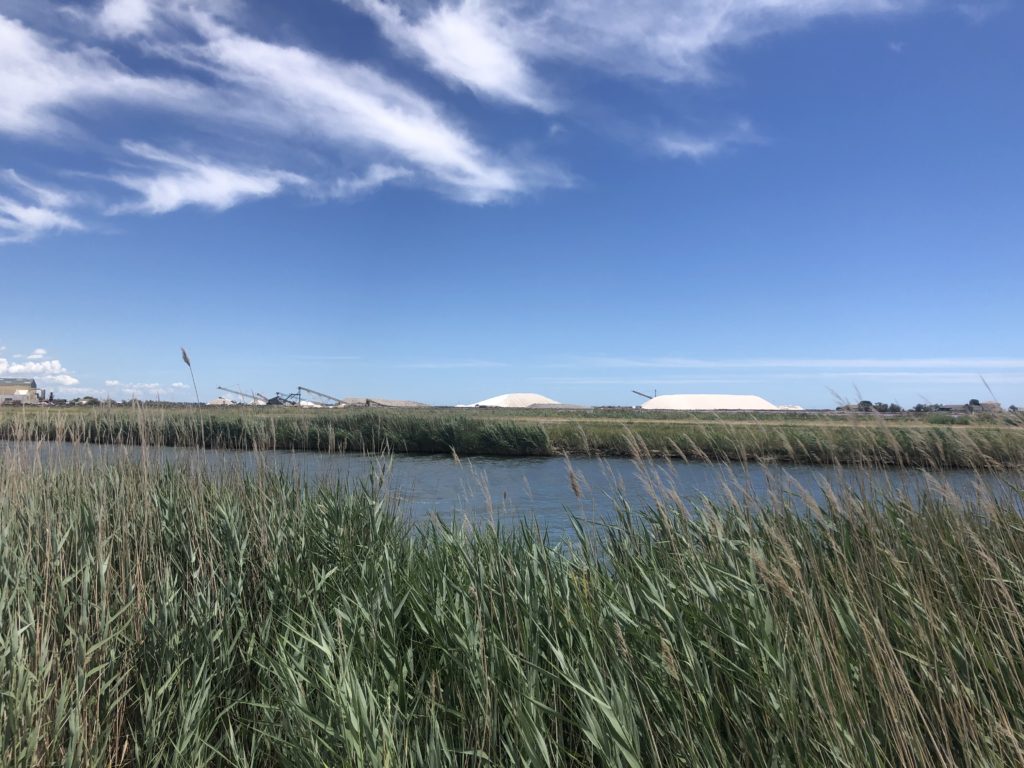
913, 441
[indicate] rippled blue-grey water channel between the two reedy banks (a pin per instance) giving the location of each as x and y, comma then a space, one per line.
547, 491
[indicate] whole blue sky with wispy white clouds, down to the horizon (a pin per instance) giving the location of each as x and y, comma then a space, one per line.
806, 200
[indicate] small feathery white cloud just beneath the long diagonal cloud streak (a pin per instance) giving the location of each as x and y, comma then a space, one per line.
181, 182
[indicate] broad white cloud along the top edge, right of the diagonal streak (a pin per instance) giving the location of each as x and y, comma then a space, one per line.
495, 48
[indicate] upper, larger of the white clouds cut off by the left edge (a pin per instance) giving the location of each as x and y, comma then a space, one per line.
41, 82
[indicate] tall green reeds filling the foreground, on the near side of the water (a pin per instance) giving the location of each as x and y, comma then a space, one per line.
157, 616
